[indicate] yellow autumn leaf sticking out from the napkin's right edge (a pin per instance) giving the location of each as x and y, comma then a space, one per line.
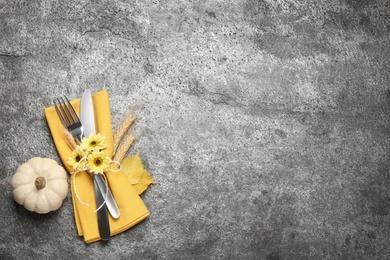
138, 177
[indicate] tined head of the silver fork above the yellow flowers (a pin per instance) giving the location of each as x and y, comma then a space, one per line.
69, 118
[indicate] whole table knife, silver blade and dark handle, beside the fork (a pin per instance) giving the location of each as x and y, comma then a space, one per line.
86, 113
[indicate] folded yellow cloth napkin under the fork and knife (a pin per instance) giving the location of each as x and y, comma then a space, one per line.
131, 207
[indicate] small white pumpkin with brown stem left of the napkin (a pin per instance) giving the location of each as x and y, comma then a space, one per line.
40, 185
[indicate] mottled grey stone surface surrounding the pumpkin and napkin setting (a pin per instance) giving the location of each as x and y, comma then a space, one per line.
266, 123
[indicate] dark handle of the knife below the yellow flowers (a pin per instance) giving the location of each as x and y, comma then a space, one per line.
102, 216
